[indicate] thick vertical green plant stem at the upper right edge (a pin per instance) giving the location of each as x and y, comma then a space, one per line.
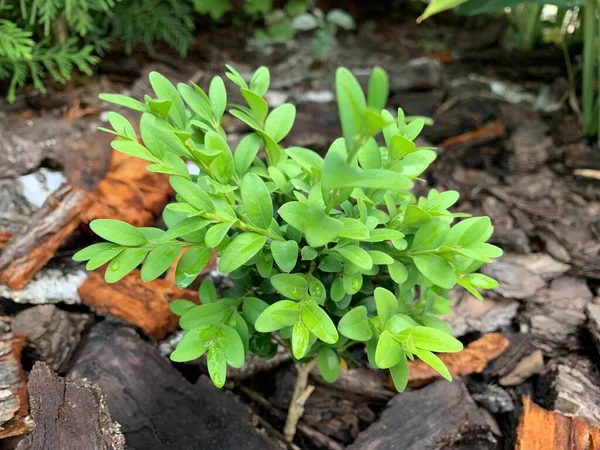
589, 35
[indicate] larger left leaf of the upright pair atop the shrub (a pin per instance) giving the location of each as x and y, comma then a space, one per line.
351, 104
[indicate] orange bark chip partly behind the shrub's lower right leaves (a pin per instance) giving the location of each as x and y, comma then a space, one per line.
473, 359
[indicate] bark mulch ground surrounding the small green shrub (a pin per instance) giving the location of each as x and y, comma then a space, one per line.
508, 141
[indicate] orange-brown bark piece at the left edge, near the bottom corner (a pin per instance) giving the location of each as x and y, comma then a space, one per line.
12, 345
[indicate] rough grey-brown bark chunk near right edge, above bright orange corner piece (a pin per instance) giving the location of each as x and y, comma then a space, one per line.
557, 315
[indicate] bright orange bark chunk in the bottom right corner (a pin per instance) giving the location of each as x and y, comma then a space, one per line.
540, 429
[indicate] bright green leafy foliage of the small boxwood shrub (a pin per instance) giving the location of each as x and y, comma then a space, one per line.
324, 252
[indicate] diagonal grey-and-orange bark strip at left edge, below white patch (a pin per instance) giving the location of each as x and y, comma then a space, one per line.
30, 249
